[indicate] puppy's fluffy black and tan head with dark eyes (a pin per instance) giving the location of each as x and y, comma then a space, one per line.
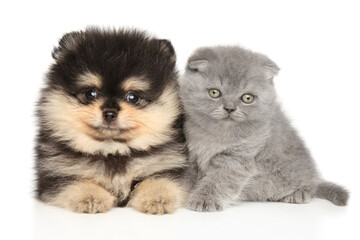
111, 91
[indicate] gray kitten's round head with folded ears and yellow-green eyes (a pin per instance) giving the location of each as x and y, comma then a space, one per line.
228, 85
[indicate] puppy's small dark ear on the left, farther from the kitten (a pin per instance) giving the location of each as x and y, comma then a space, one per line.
68, 43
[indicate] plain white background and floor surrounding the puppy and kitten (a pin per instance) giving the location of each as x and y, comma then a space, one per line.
316, 44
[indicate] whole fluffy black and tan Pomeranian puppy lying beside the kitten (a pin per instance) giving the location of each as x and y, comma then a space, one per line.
109, 123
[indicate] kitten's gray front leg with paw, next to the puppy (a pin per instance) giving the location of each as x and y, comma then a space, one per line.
221, 184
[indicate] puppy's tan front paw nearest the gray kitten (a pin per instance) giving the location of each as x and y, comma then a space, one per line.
157, 196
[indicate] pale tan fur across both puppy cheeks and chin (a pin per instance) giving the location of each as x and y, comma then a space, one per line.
141, 128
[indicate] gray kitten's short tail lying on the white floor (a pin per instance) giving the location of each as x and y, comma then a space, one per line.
332, 192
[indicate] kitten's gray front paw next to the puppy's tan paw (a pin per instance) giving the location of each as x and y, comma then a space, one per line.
203, 204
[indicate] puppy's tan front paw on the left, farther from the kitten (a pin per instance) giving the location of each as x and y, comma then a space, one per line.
84, 197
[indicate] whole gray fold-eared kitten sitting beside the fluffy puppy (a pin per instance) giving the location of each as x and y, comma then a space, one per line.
241, 143
